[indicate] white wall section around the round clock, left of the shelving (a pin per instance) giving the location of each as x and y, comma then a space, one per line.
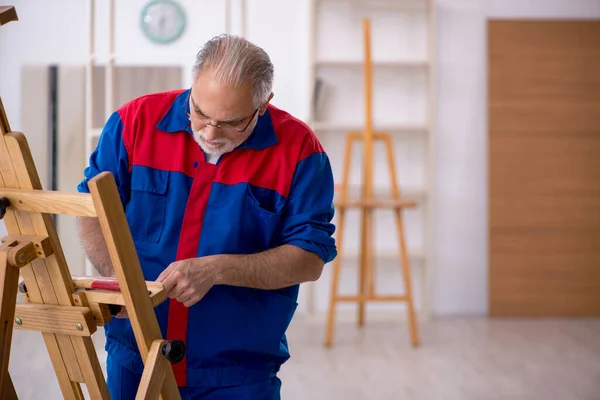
46, 34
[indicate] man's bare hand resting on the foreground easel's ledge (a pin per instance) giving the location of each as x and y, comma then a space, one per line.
189, 280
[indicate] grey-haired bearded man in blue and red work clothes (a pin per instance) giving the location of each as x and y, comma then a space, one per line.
229, 203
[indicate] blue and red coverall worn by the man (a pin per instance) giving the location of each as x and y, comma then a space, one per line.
274, 189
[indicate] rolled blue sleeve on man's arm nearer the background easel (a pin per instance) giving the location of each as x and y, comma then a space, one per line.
309, 209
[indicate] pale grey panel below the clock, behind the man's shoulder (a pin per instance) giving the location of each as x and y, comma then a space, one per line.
131, 82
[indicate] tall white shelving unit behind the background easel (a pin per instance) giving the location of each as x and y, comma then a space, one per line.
404, 91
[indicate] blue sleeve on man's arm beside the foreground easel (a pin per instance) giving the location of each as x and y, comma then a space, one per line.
110, 155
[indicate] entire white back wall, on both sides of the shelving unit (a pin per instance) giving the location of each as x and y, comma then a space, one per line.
460, 276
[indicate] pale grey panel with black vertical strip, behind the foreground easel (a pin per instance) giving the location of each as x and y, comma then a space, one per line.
69, 156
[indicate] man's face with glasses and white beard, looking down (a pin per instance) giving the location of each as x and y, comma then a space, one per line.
213, 103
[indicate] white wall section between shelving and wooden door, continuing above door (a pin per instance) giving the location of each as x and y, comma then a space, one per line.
460, 280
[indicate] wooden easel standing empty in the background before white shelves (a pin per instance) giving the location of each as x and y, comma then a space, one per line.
367, 203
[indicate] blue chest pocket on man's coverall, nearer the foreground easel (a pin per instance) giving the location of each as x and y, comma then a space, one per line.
146, 210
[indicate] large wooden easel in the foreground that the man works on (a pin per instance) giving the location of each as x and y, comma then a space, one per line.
65, 309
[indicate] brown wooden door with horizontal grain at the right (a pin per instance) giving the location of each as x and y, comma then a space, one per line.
544, 167
